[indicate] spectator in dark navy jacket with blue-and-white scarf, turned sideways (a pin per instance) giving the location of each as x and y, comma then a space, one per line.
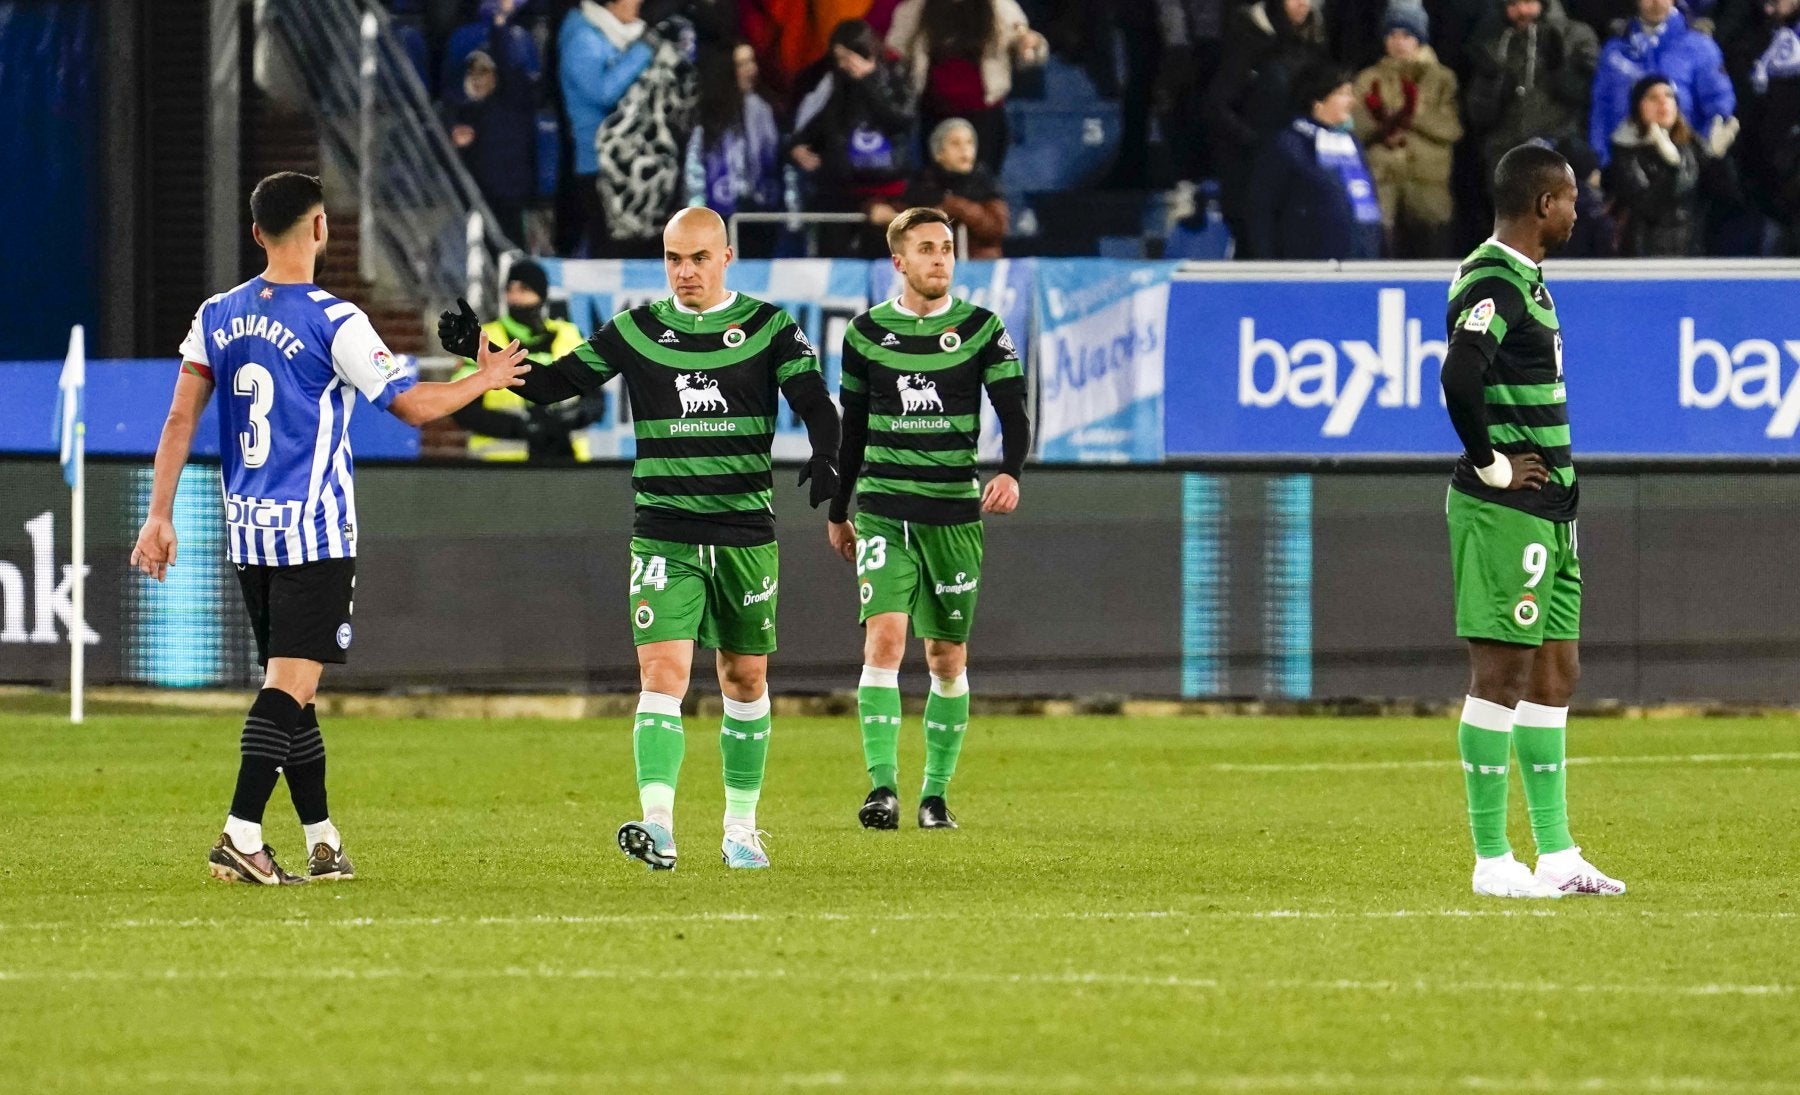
1309, 190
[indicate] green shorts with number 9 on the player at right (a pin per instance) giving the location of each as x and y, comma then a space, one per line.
1518, 577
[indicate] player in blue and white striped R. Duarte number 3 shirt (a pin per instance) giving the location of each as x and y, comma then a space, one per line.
289, 361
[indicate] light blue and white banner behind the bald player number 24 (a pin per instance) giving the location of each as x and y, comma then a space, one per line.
820, 294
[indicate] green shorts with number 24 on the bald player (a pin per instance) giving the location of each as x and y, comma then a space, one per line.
719, 597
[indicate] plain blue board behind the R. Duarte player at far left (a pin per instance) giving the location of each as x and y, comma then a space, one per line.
129, 399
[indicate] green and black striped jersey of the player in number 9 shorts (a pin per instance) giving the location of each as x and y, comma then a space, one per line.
1500, 307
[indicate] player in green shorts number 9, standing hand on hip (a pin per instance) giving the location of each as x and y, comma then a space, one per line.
1513, 530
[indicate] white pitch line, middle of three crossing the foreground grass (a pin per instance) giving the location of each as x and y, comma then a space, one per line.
1030, 981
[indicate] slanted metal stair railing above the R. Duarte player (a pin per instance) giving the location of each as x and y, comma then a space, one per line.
420, 215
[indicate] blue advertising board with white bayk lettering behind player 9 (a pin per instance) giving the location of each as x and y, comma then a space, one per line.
1347, 365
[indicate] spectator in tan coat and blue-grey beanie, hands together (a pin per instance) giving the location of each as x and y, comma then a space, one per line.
1408, 123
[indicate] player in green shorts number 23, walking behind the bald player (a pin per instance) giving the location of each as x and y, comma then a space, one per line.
915, 370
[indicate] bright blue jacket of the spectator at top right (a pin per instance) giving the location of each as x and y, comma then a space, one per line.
1660, 44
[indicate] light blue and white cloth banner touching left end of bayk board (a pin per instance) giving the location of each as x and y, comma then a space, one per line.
1102, 334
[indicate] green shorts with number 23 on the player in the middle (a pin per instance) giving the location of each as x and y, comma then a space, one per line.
930, 572
